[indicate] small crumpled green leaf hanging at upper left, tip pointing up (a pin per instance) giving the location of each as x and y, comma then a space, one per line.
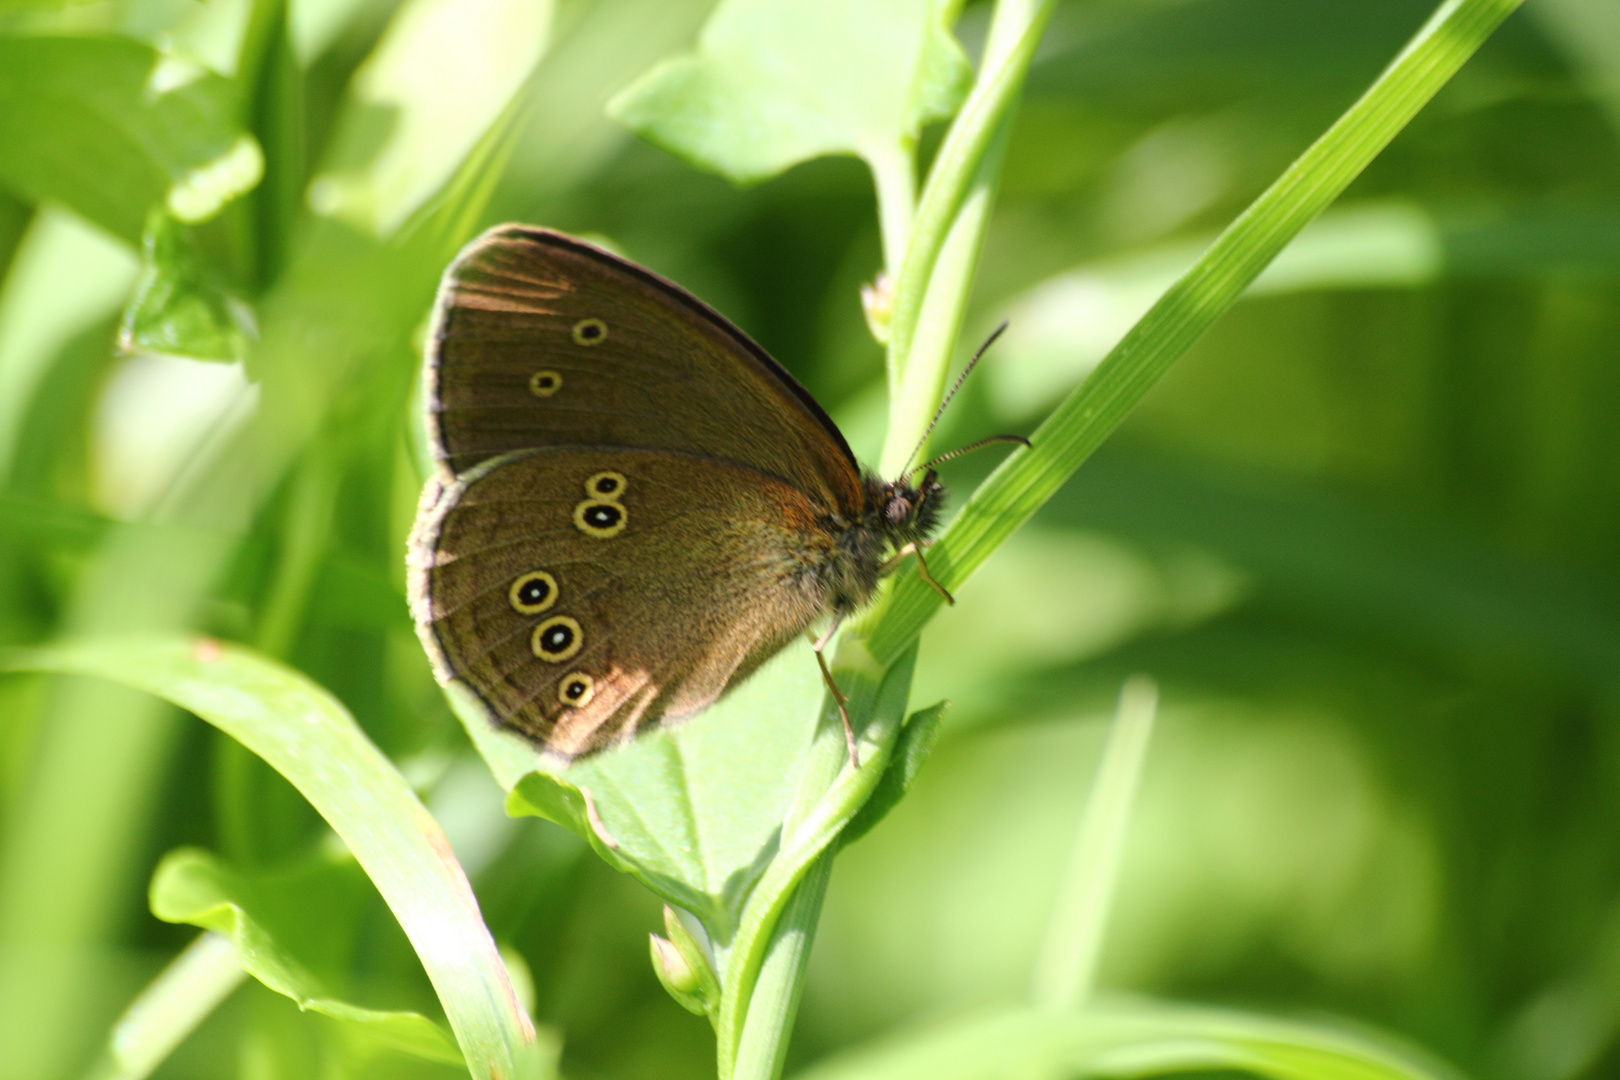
177, 307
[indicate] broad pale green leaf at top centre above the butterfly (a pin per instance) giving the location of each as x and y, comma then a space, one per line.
775, 83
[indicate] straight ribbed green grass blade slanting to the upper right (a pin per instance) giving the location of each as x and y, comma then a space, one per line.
1078, 427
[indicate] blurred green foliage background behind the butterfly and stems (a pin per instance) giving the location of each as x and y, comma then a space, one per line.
1363, 535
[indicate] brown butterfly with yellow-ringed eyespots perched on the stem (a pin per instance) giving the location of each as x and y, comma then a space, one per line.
636, 506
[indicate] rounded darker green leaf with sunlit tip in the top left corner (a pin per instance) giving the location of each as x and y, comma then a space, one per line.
111, 127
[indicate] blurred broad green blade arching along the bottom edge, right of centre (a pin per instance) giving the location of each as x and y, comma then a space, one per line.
1125, 1040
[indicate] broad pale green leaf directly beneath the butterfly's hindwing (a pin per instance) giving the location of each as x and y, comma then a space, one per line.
728, 814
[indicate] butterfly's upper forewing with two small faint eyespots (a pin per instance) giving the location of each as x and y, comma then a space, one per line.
544, 341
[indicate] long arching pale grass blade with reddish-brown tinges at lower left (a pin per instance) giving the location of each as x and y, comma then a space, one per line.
310, 739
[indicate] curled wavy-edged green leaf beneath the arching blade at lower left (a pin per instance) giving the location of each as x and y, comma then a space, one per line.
192, 887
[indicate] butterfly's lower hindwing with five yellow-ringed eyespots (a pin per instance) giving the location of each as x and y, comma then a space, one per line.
688, 577
